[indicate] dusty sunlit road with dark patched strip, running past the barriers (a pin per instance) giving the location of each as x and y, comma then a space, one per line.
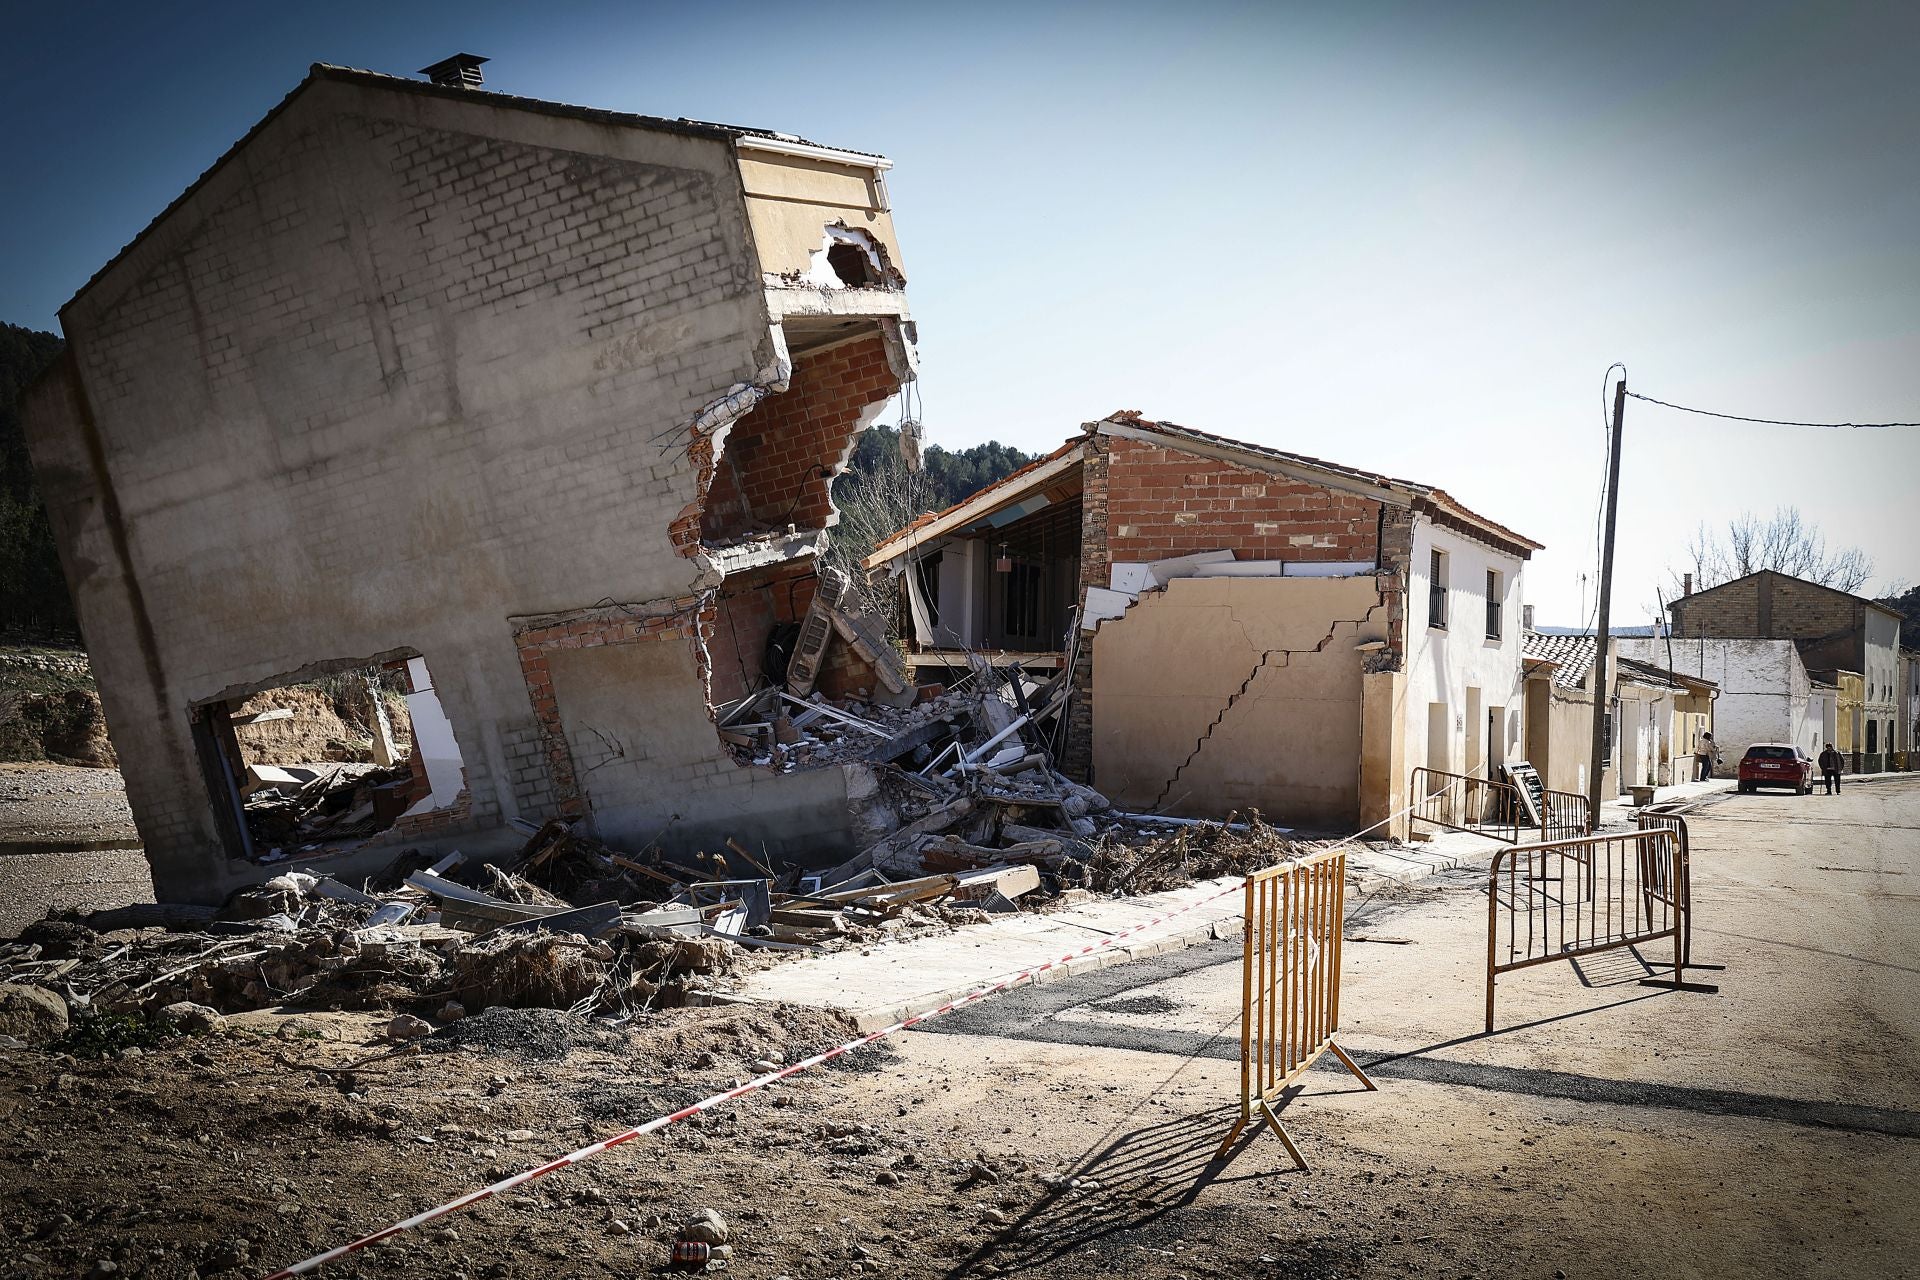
1604, 1129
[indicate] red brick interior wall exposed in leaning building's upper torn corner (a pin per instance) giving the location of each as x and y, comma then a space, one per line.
775, 463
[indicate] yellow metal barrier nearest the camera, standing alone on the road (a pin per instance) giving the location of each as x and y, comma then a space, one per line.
1289, 985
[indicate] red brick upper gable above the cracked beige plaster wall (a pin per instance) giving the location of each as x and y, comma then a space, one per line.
1168, 504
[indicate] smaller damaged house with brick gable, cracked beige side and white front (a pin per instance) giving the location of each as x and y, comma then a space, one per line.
1255, 628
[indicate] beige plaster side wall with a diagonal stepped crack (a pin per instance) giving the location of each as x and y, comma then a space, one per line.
1232, 694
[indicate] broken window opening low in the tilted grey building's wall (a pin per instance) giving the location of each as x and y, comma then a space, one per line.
331, 761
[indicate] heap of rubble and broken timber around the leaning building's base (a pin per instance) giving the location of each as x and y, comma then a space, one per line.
972, 822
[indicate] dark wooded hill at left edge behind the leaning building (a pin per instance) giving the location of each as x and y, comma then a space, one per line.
34, 596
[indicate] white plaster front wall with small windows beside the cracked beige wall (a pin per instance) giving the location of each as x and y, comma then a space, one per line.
1445, 665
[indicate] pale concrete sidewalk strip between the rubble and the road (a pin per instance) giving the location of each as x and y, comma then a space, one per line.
890, 982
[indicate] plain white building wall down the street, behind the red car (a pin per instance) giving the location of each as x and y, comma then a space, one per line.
1765, 696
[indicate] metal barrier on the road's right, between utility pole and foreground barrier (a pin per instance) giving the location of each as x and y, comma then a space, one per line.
1568, 899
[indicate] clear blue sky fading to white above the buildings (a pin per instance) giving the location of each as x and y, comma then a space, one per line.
1408, 237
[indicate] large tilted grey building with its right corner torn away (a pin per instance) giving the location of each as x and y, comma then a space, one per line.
533, 408
